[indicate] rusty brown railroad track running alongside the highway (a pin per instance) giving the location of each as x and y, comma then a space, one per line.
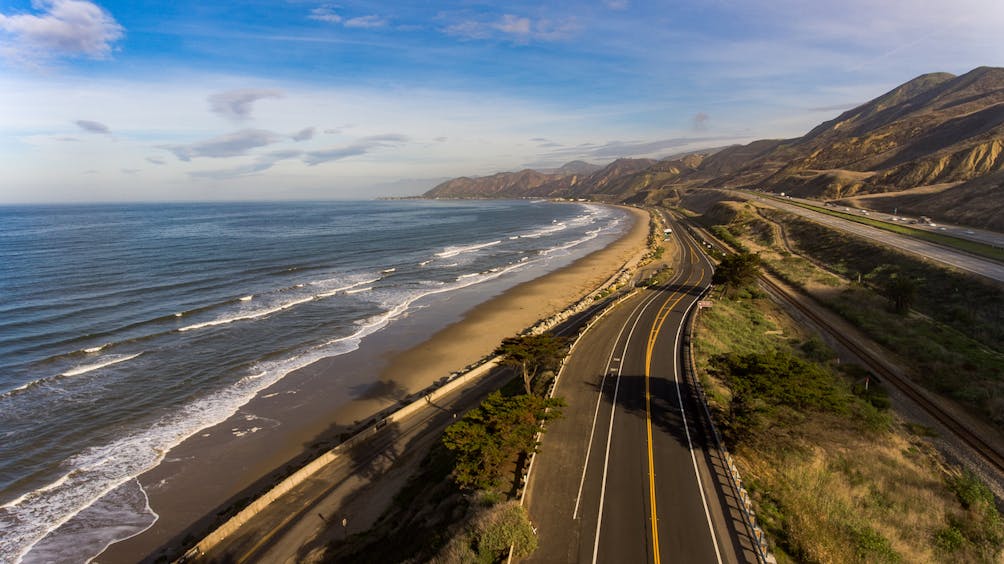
984, 450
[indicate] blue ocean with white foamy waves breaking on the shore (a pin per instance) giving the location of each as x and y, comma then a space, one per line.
127, 329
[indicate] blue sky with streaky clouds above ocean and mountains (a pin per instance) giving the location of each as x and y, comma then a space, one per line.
113, 101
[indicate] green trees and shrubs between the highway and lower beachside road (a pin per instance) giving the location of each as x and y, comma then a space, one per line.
461, 506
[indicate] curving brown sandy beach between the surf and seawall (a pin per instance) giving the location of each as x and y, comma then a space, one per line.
308, 411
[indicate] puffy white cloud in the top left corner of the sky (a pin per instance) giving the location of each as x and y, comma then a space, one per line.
65, 29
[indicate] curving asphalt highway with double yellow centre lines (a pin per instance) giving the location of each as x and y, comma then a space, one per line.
628, 475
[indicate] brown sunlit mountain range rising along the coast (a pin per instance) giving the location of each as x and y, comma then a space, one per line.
931, 147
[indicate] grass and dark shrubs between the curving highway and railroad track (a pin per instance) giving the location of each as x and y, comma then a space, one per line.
835, 476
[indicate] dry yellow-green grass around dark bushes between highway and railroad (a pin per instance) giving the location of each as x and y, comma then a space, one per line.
827, 489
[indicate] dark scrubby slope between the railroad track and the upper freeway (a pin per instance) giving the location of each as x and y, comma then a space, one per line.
945, 327
